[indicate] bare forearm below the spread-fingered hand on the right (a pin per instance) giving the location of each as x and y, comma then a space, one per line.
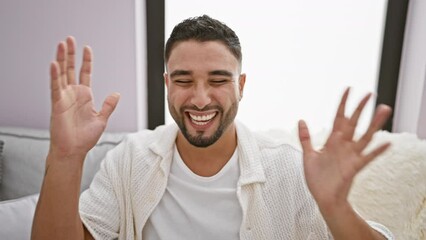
345, 223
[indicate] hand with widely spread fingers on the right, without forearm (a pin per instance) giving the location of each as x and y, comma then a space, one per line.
329, 172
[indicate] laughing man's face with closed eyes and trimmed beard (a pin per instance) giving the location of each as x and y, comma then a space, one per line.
204, 88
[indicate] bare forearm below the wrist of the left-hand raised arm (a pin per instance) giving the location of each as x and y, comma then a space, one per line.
56, 215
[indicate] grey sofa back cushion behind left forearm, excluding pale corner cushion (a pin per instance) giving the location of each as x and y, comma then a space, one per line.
24, 160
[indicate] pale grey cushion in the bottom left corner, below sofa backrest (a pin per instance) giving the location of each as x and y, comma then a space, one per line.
16, 217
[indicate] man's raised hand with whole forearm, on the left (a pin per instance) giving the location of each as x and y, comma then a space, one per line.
74, 129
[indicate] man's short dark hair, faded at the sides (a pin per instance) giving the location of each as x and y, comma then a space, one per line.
204, 28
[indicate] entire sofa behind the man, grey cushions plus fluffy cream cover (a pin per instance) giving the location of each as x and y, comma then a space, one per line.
391, 190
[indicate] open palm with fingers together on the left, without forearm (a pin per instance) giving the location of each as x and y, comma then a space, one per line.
75, 124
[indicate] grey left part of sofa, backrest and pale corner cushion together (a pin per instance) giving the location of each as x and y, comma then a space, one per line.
22, 164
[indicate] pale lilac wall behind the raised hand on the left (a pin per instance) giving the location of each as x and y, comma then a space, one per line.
30, 31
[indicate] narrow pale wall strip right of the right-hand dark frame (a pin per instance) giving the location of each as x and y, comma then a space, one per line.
410, 109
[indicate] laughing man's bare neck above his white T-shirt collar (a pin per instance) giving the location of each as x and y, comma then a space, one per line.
210, 160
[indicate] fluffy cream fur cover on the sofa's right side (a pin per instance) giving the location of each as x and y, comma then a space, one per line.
390, 190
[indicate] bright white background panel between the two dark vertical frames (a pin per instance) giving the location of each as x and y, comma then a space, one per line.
299, 56
